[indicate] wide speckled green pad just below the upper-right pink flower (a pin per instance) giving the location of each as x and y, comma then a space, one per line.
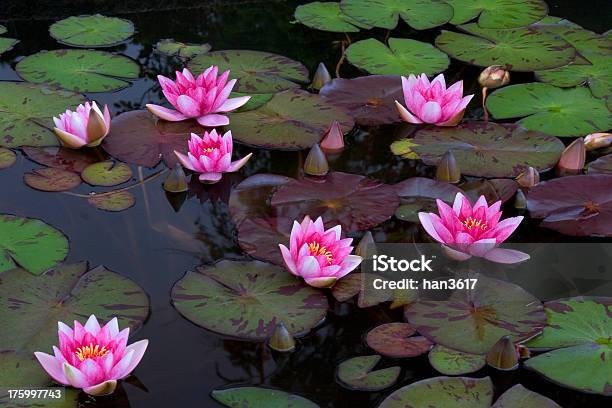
487, 149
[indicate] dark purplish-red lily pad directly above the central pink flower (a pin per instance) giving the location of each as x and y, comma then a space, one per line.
353, 201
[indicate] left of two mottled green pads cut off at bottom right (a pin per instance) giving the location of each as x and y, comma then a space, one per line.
443, 392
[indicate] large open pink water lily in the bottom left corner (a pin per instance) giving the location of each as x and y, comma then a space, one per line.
92, 357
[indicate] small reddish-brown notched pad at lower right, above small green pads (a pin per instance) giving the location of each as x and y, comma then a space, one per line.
397, 340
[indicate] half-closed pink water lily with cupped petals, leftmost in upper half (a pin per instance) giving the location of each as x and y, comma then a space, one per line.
88, 126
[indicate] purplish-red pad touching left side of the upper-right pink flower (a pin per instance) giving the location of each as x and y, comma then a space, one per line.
369, 99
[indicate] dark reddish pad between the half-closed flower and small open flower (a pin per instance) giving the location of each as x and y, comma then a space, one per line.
137, 137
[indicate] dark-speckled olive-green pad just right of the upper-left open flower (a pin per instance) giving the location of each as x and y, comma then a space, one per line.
293, 119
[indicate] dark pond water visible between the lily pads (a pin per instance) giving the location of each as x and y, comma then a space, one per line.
154, 244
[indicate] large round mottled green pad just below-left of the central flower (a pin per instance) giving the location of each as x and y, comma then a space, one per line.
248, 299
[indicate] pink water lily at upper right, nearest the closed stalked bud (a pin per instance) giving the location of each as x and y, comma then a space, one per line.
431, 102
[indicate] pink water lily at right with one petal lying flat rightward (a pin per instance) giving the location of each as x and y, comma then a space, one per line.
469, 231
